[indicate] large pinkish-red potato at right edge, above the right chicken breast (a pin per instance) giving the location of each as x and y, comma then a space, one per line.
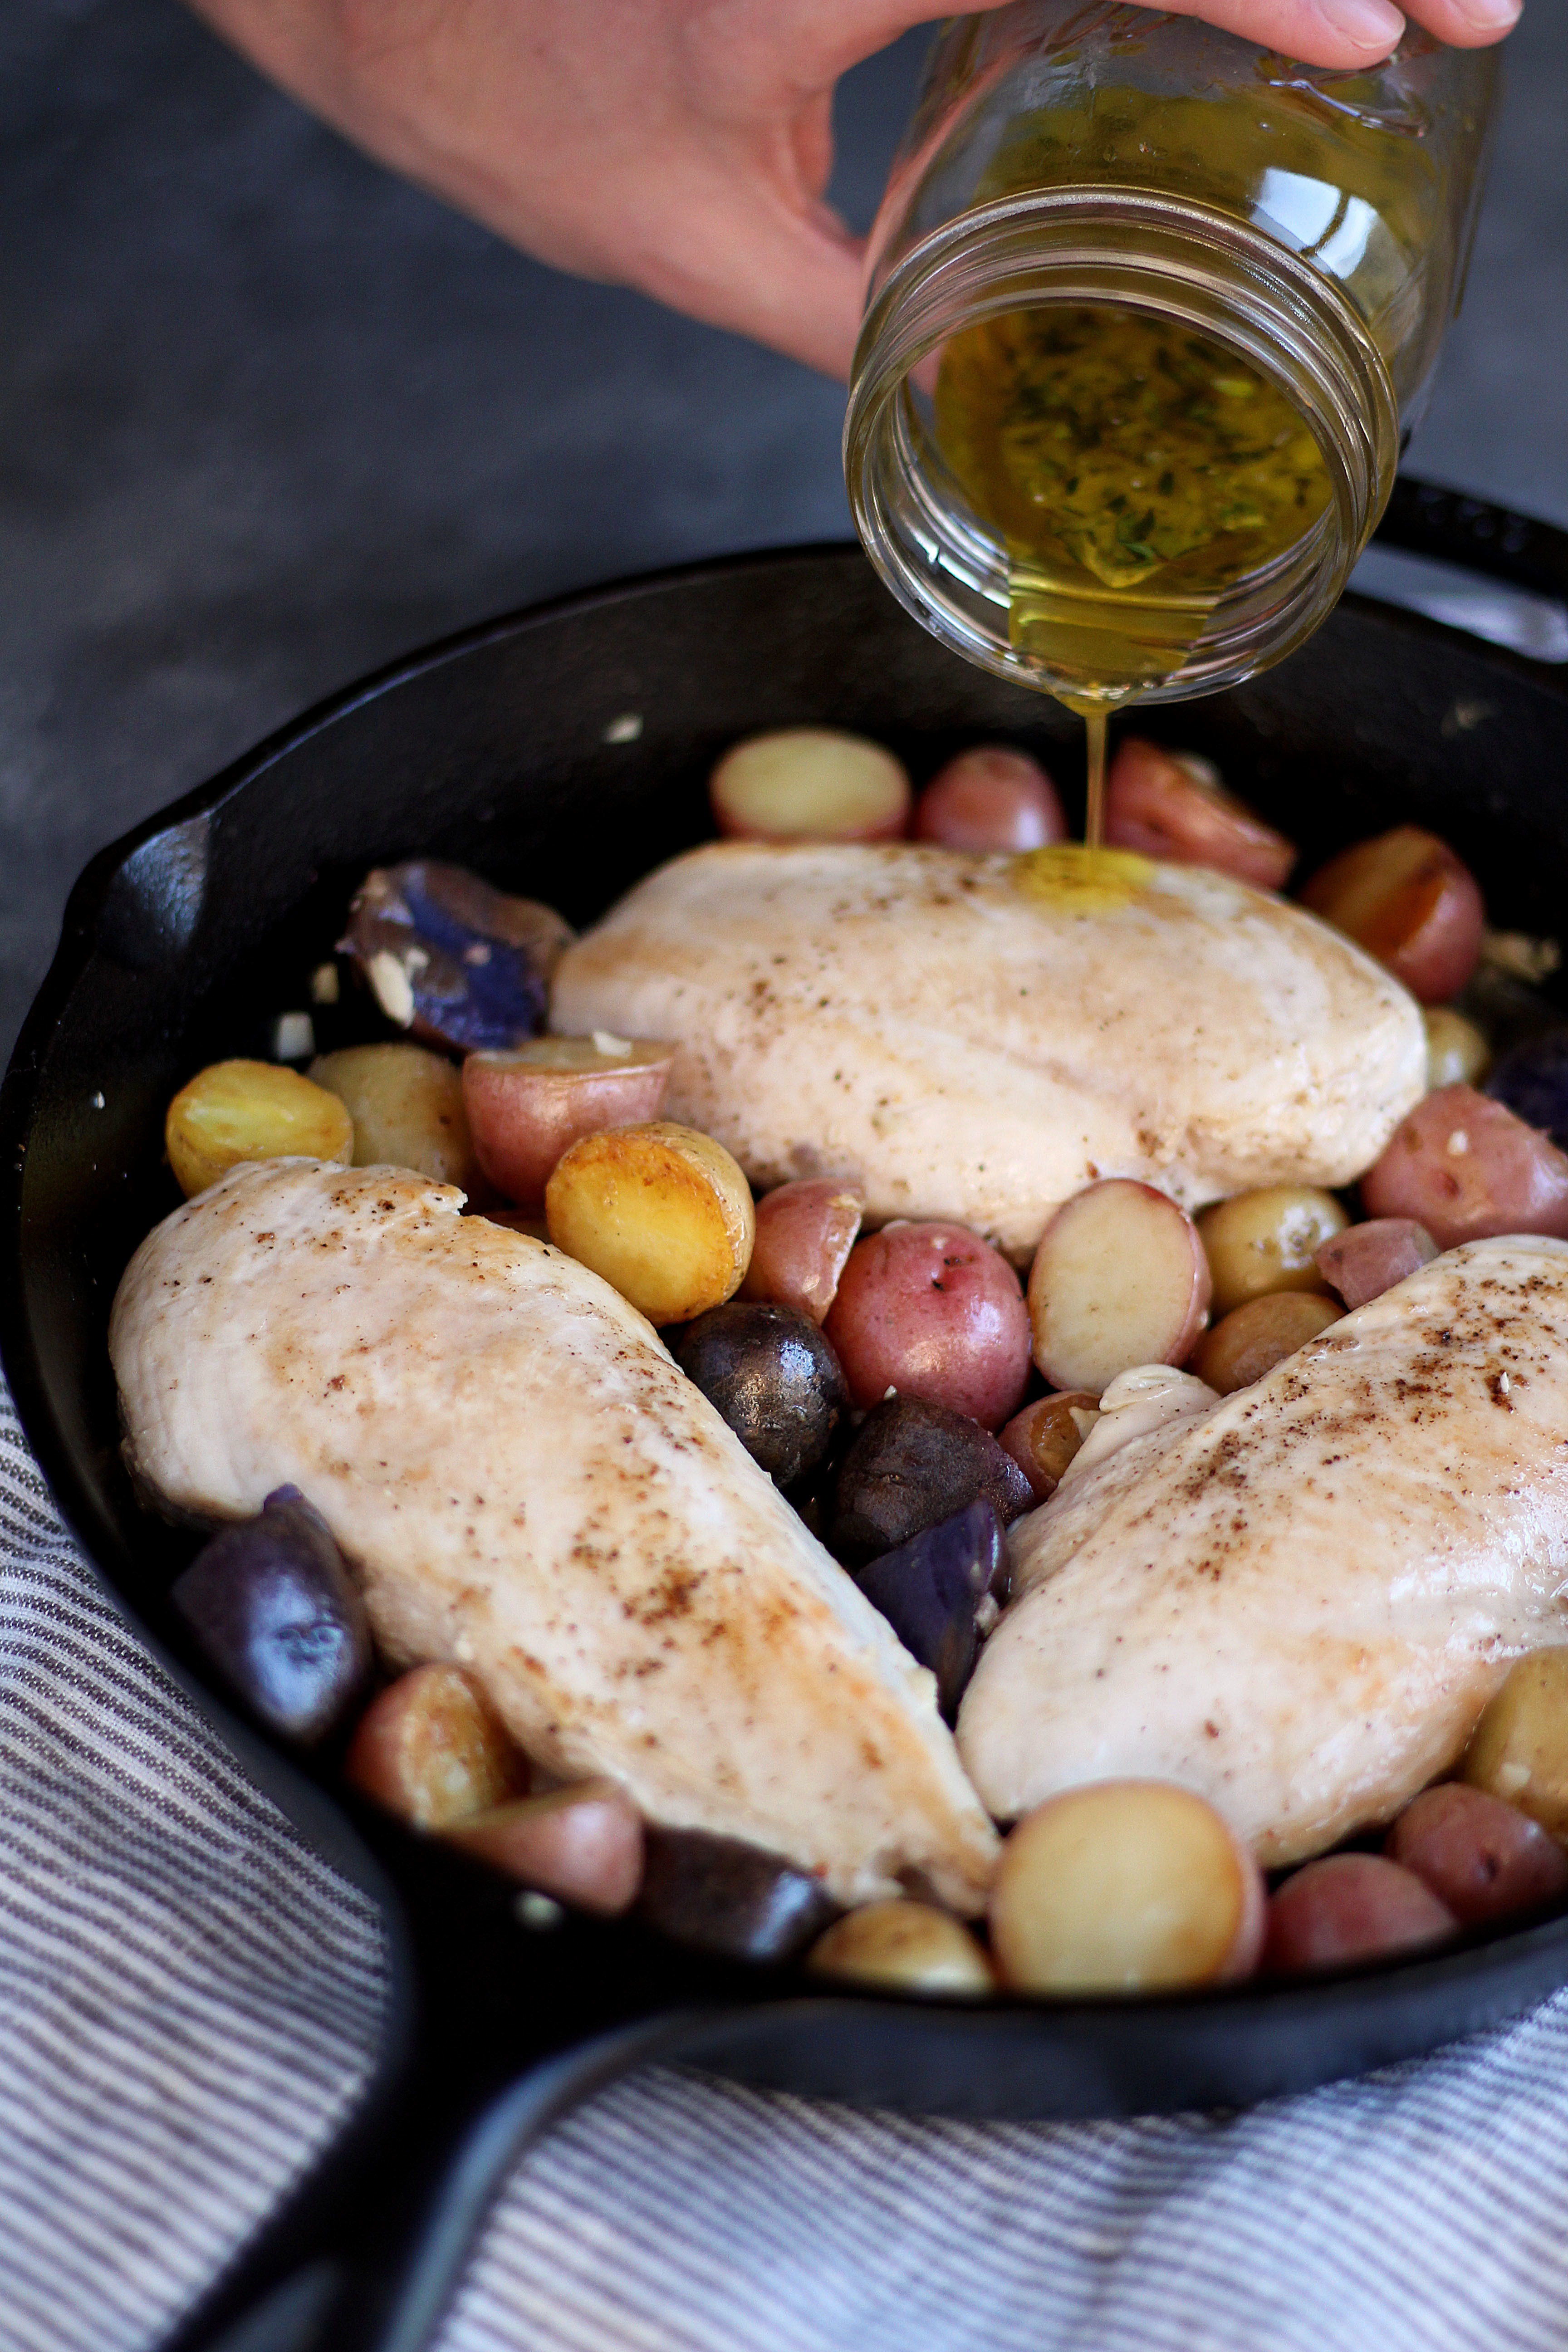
1468, 1168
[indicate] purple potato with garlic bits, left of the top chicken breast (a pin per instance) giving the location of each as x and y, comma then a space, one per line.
450, 958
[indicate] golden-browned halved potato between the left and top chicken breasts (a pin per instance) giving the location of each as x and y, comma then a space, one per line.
662, 1212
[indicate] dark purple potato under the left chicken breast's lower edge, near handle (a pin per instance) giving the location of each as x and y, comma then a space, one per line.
725, 1897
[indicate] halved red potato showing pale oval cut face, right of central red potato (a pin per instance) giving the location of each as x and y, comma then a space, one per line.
1120, 1278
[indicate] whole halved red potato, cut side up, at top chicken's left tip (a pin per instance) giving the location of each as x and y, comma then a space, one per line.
535, 1102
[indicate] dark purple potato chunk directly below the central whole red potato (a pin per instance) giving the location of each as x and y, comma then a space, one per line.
913, 1466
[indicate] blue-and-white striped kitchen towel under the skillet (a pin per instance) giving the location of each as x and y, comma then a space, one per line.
189, 2005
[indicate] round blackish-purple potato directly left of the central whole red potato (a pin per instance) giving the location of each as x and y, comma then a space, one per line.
772, 1377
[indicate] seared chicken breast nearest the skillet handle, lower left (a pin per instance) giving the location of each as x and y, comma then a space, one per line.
530, 1488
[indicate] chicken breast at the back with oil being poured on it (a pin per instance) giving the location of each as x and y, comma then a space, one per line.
979, 1038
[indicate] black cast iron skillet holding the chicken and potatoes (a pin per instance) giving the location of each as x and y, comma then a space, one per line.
509, 749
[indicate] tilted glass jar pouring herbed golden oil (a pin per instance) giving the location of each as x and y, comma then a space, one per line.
1151, 316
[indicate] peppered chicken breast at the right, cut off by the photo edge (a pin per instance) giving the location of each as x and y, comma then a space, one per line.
1299, 1601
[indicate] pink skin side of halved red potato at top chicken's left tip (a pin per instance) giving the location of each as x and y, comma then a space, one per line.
525, 1121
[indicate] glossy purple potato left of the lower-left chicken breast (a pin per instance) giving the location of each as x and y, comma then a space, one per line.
274, 1610
